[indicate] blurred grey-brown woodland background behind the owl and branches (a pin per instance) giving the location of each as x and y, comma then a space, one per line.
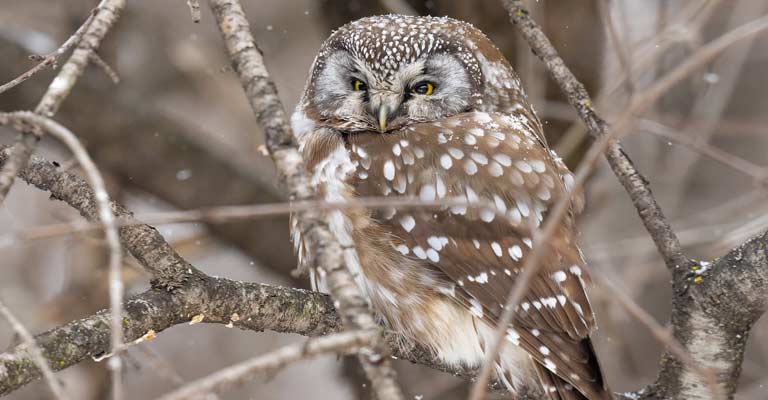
176, 133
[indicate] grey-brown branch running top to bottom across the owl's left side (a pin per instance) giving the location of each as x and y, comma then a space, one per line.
323, 246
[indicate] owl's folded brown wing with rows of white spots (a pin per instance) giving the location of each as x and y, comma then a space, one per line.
496, 160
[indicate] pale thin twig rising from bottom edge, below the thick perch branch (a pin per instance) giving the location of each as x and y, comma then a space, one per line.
271, 362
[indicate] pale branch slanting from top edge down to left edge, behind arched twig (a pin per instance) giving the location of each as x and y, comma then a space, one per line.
104, 17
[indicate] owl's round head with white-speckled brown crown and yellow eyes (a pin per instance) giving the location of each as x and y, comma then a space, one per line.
386, 72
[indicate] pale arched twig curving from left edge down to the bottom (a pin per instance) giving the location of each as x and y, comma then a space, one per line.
105, 216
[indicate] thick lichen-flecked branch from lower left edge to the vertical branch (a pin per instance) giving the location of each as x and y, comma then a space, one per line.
249, 306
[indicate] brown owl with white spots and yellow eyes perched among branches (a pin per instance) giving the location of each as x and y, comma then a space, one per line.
428, 108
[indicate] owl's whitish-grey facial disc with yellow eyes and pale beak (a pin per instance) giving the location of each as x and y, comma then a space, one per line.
352, 96
